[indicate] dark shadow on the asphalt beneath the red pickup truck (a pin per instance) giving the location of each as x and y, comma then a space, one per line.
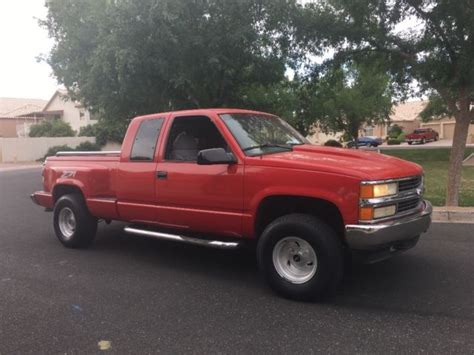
410, 282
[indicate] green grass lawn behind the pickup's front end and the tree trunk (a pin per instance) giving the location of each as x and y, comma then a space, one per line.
435, 164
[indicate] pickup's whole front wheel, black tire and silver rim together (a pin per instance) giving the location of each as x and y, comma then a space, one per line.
301, 257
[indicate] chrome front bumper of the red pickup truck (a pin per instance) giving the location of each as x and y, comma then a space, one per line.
379, 236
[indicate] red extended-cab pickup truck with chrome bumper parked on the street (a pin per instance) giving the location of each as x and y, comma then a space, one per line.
223, 178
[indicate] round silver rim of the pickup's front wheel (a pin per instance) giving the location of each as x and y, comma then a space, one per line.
295, 260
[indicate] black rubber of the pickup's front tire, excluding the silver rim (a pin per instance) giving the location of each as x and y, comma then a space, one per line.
326, 245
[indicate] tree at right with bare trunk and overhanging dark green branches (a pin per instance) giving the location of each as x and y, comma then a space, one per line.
427, 41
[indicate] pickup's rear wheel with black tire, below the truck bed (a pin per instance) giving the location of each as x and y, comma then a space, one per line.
83, 234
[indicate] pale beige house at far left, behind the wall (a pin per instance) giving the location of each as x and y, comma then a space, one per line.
22, 113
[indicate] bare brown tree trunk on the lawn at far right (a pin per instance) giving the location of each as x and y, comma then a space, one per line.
456, 157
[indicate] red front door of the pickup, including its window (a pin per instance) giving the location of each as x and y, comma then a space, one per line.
201, 198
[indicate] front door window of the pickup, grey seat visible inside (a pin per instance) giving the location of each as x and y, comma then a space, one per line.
191, 134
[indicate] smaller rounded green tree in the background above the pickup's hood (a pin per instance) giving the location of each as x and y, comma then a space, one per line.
345, 97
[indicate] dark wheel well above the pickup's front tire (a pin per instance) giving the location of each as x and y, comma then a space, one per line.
276, 206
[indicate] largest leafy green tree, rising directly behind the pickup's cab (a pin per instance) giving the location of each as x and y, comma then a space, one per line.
124, 58
